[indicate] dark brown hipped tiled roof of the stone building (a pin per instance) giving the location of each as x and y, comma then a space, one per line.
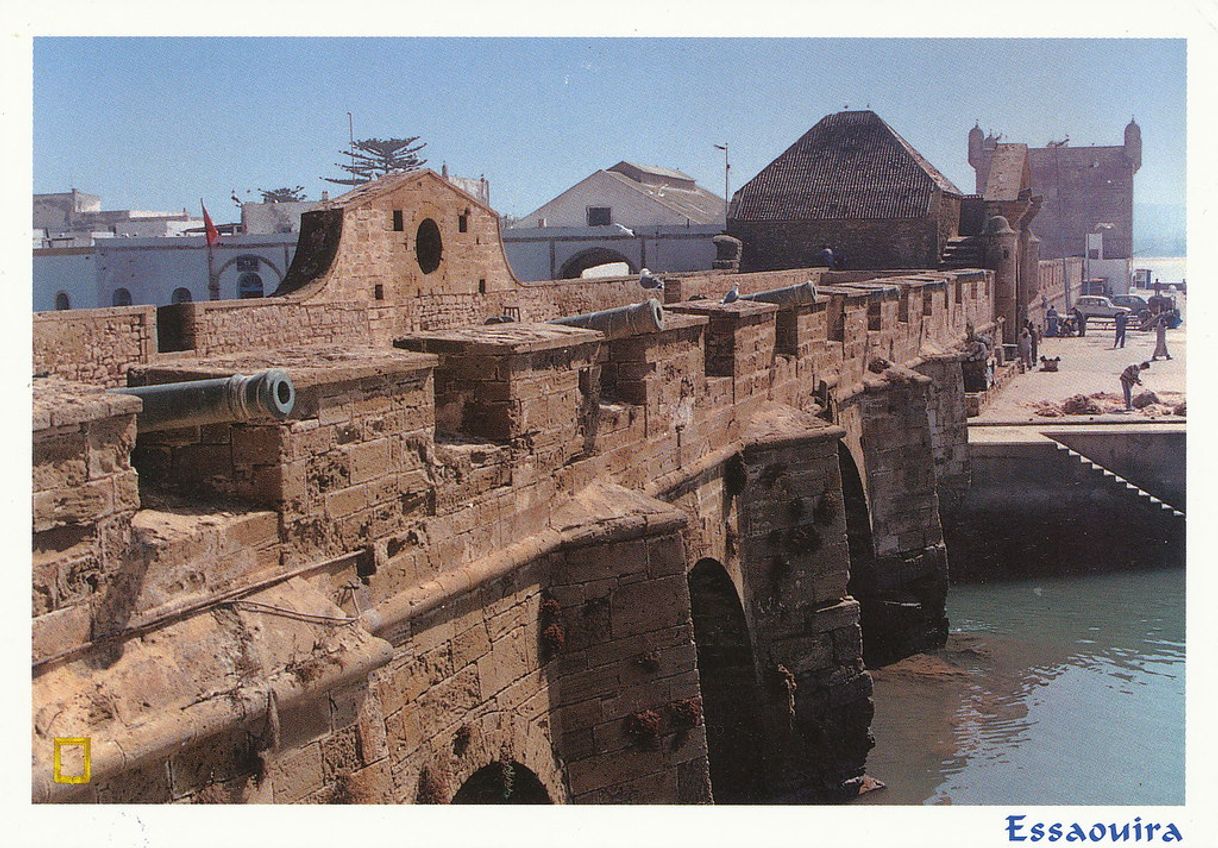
851, 165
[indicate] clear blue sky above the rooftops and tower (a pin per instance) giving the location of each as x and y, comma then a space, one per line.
160, 122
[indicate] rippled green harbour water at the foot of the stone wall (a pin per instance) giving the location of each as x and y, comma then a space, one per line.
1052, 691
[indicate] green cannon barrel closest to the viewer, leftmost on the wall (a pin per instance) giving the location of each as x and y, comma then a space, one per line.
225, 400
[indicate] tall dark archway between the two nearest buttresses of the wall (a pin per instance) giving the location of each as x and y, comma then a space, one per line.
730, 694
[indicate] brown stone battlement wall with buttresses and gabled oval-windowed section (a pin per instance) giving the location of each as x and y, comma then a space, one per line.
488, 561
